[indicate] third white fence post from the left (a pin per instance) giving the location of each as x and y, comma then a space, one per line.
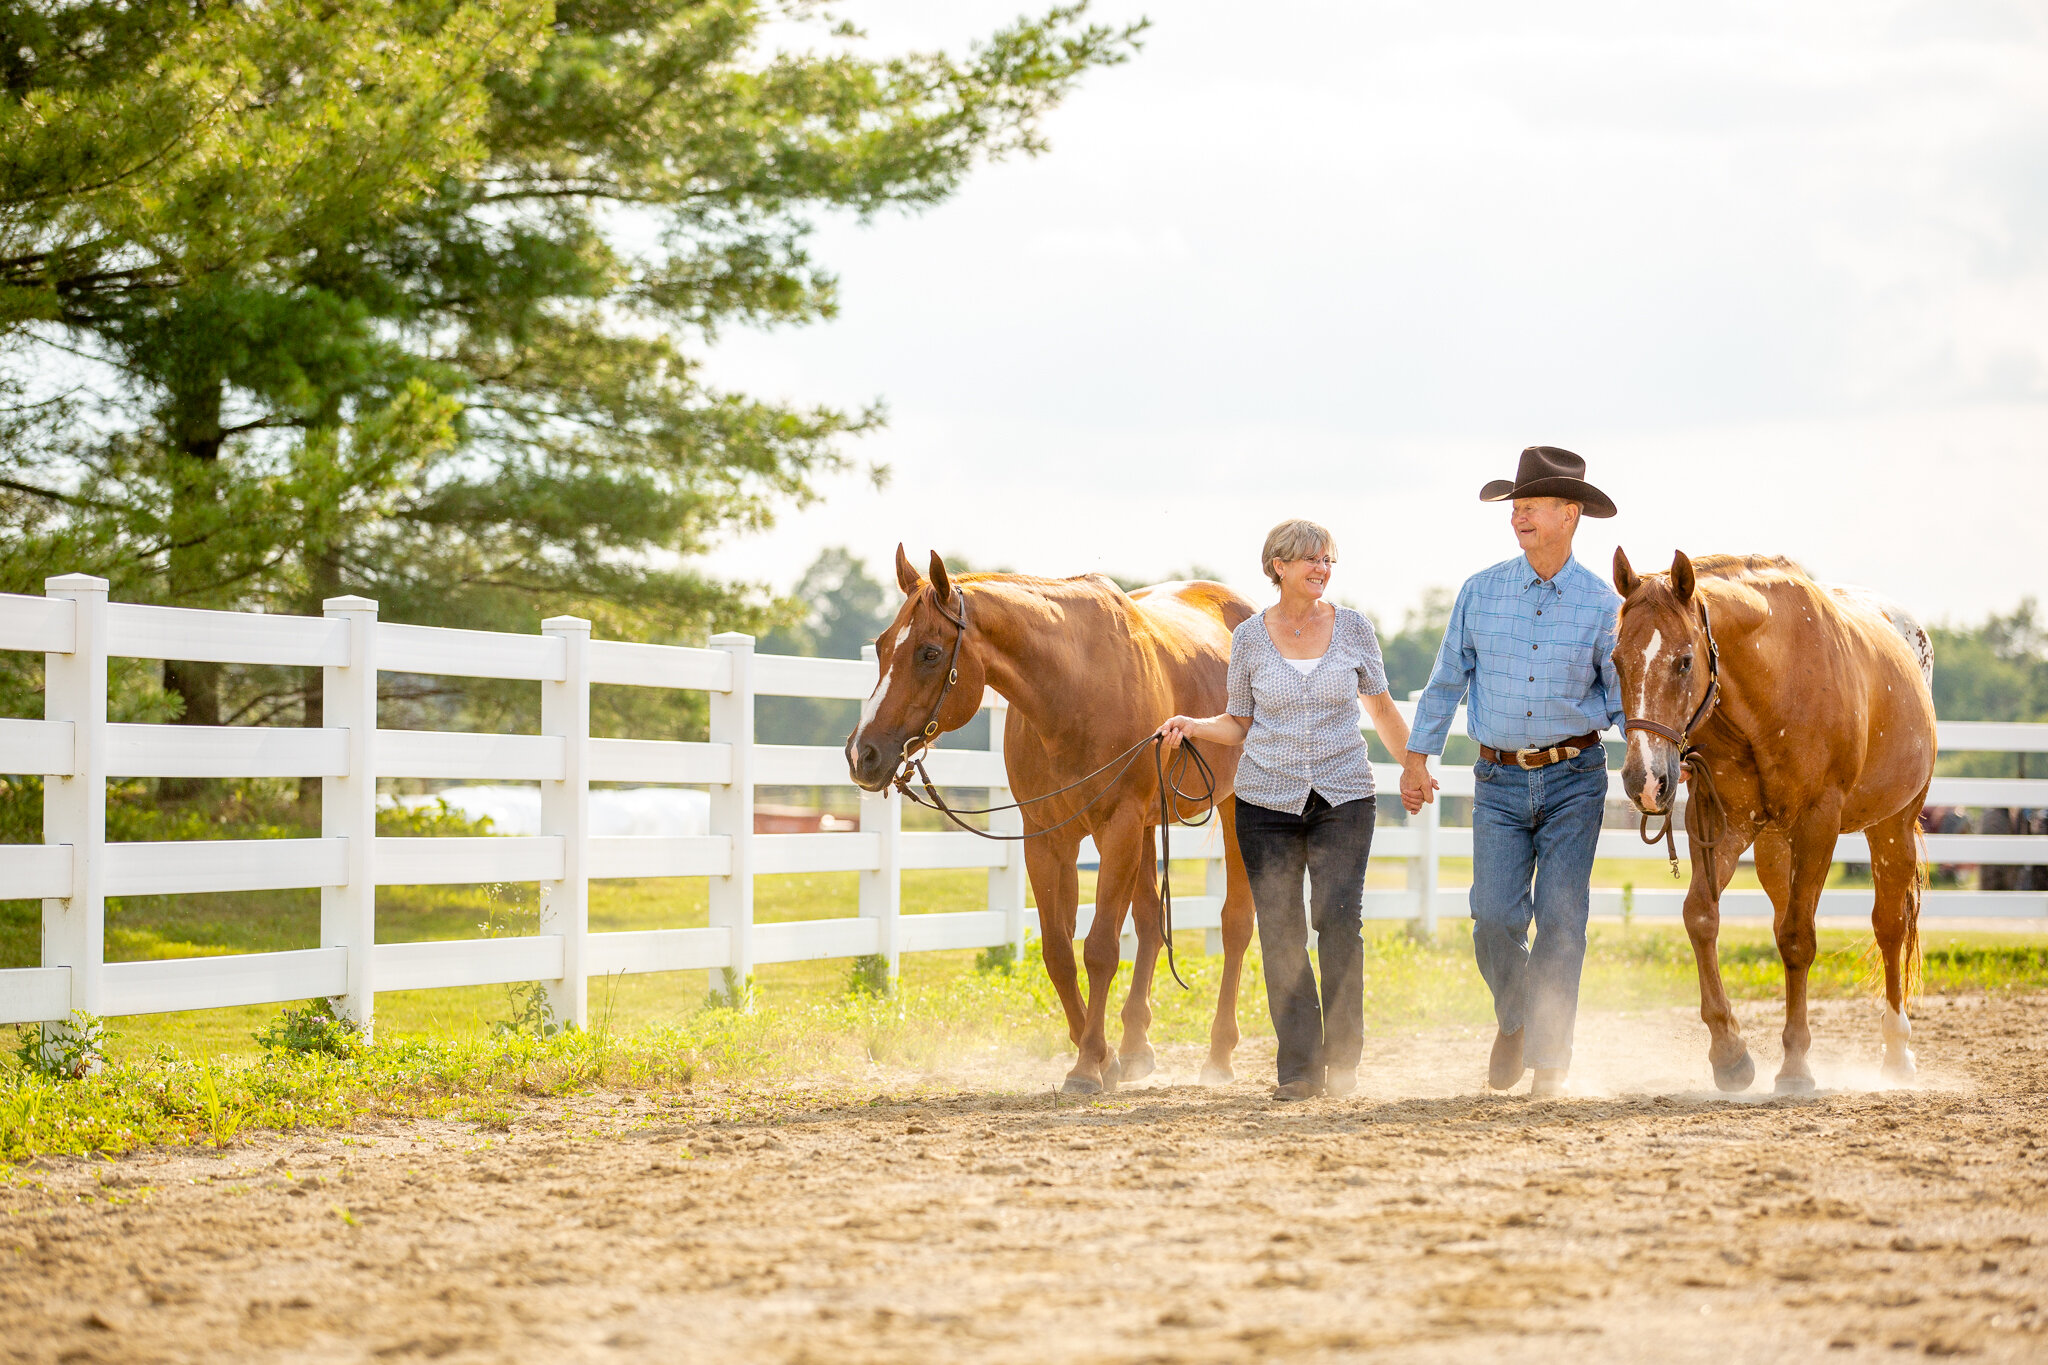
566, 813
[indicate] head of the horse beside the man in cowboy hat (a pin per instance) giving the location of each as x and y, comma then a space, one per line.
1664, 660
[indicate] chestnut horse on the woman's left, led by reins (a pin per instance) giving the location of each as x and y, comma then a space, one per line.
1091, 672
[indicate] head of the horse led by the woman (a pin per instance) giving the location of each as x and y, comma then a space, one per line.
931, 680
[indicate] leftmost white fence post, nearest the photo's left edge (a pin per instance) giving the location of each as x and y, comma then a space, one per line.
75, 809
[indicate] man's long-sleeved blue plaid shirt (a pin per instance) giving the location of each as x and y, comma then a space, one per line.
1537, 658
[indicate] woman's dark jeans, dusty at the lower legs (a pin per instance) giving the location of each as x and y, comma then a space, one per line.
1328, 844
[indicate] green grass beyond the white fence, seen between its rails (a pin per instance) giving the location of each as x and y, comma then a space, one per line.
1406, 983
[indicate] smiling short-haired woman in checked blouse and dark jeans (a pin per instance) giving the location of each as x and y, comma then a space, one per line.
1306, 799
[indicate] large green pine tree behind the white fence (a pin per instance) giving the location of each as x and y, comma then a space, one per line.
409, 298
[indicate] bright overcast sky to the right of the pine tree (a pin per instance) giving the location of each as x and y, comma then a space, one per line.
1779, 273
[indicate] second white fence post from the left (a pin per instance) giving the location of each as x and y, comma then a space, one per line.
349, 809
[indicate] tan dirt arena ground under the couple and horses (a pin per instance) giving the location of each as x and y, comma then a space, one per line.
974, 1219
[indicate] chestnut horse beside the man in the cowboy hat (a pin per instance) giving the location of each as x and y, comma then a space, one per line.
1824, 725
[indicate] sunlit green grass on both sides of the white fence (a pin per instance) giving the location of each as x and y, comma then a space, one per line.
202, 1077
